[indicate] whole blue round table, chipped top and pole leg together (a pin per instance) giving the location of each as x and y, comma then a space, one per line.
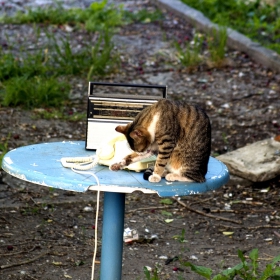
40, 164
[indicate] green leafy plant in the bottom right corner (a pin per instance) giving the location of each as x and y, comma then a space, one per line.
245, 270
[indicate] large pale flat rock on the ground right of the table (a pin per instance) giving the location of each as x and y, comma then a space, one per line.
257, 162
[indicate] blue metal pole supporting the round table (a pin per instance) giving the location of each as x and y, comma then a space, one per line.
112, 236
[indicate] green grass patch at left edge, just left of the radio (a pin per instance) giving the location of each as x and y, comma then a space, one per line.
35, 79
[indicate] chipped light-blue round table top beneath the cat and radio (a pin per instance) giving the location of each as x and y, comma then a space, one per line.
40, 164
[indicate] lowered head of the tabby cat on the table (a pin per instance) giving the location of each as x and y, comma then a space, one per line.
138, 138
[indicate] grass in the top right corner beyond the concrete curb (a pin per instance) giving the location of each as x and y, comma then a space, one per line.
257, 19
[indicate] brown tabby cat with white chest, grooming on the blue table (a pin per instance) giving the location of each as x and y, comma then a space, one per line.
178, 133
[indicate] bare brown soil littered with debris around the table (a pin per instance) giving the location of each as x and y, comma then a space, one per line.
48, 233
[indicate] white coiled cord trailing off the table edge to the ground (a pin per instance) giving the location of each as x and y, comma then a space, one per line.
78, 165
